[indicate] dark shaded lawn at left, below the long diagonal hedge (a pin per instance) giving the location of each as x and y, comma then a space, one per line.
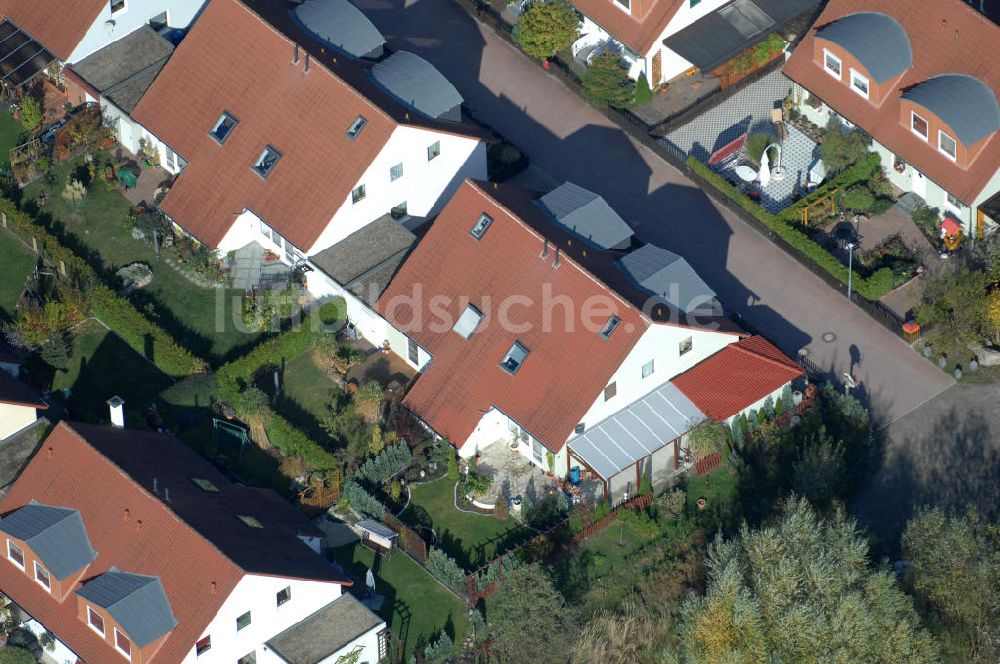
104, 366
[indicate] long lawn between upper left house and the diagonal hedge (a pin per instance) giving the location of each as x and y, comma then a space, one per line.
202, 319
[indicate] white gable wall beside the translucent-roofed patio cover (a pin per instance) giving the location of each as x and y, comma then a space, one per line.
660, 343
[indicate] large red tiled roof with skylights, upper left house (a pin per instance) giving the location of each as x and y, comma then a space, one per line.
233, 61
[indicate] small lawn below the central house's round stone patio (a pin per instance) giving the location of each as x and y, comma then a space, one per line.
471, 539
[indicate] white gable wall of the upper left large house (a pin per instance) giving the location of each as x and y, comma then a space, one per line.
425, 185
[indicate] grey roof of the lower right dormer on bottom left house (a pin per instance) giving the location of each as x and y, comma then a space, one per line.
136, 602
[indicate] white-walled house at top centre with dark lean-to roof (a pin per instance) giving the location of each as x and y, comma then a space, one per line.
666, 38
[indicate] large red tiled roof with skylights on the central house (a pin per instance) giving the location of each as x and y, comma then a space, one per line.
565, 370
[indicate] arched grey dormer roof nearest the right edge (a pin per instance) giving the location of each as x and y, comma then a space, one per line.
963, 102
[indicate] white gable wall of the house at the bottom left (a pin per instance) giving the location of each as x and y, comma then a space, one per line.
257, 594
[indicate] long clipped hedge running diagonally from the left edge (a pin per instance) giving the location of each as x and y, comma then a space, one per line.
116, 312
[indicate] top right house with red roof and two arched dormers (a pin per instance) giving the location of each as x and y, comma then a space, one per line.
922, 80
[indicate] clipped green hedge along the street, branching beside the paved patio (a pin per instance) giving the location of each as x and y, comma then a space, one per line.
871, 288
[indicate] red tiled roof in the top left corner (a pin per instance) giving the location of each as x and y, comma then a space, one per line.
58, 25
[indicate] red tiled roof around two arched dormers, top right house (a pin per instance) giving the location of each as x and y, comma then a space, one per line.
947, 37
